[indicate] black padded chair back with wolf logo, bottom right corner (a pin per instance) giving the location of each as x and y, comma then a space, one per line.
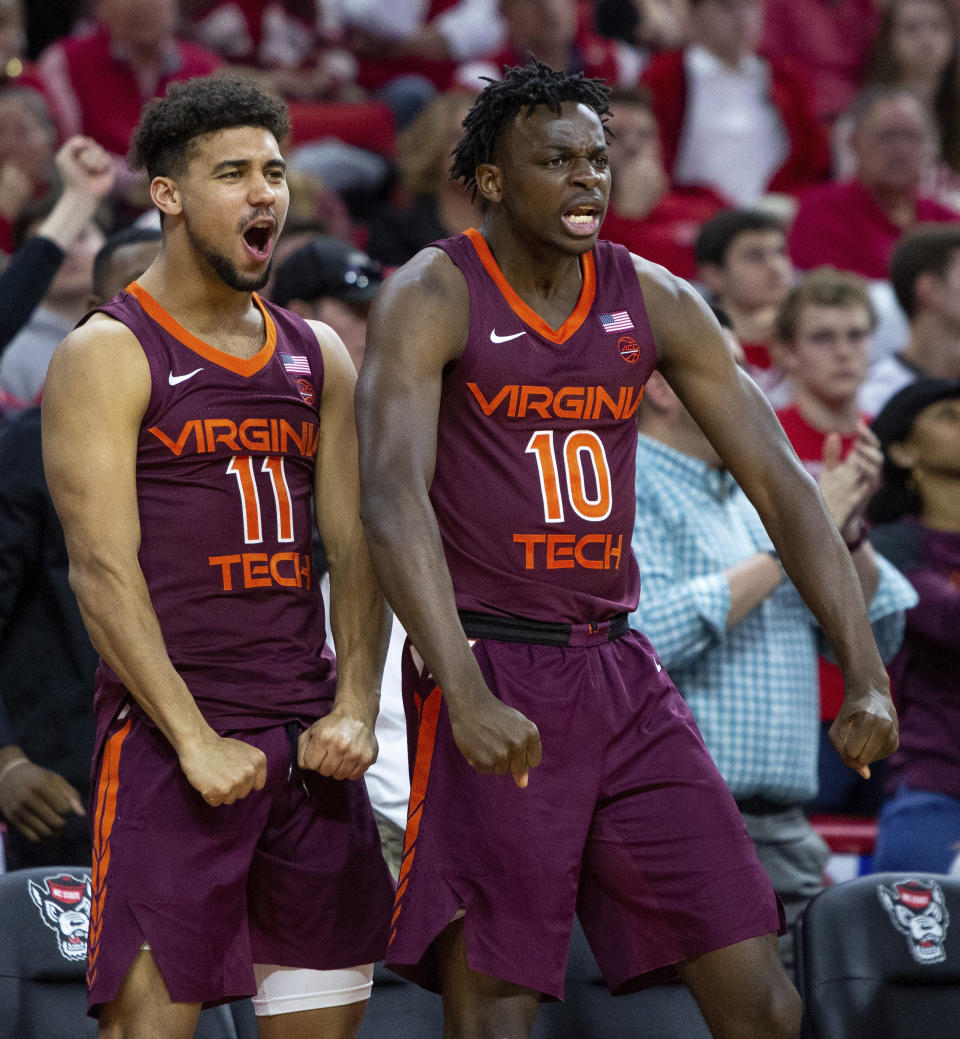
879, 958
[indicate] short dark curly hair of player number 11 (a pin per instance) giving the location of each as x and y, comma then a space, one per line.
170, 126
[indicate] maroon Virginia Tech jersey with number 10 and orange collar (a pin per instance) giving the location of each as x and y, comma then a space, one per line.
537, 444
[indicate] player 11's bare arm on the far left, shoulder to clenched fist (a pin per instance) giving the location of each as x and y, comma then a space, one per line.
95, 397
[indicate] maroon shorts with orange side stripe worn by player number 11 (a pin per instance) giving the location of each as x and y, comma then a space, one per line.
290, 875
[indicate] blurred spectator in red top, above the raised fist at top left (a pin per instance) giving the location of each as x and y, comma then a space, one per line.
99, 83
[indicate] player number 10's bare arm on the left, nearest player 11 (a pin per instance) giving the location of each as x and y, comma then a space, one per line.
417, 327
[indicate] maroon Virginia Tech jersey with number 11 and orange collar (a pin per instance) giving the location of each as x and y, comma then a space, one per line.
225, 488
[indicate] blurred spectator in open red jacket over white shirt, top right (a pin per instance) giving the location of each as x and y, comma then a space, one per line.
734, 120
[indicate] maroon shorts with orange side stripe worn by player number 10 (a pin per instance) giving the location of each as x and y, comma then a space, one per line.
626, 822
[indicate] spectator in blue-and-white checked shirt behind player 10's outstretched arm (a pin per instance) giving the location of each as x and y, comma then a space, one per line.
735, 635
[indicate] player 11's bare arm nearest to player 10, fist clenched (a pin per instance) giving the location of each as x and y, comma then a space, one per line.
342, 744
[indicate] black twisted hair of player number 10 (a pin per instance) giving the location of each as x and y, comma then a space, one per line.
523, 88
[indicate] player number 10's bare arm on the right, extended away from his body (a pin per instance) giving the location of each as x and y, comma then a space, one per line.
744, 431
